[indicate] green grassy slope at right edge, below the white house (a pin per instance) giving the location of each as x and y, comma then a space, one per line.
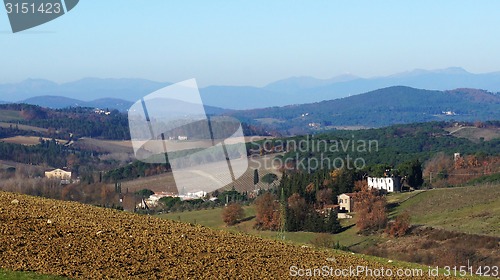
473, 209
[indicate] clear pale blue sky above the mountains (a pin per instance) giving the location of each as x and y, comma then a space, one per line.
252, 42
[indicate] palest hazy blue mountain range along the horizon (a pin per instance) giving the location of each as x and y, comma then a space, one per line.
119, 93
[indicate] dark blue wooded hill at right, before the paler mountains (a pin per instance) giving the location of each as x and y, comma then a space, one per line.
382, 107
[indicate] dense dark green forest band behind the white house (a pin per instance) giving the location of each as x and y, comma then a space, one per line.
386, 146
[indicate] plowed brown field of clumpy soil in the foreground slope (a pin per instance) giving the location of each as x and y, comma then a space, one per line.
85, 242
